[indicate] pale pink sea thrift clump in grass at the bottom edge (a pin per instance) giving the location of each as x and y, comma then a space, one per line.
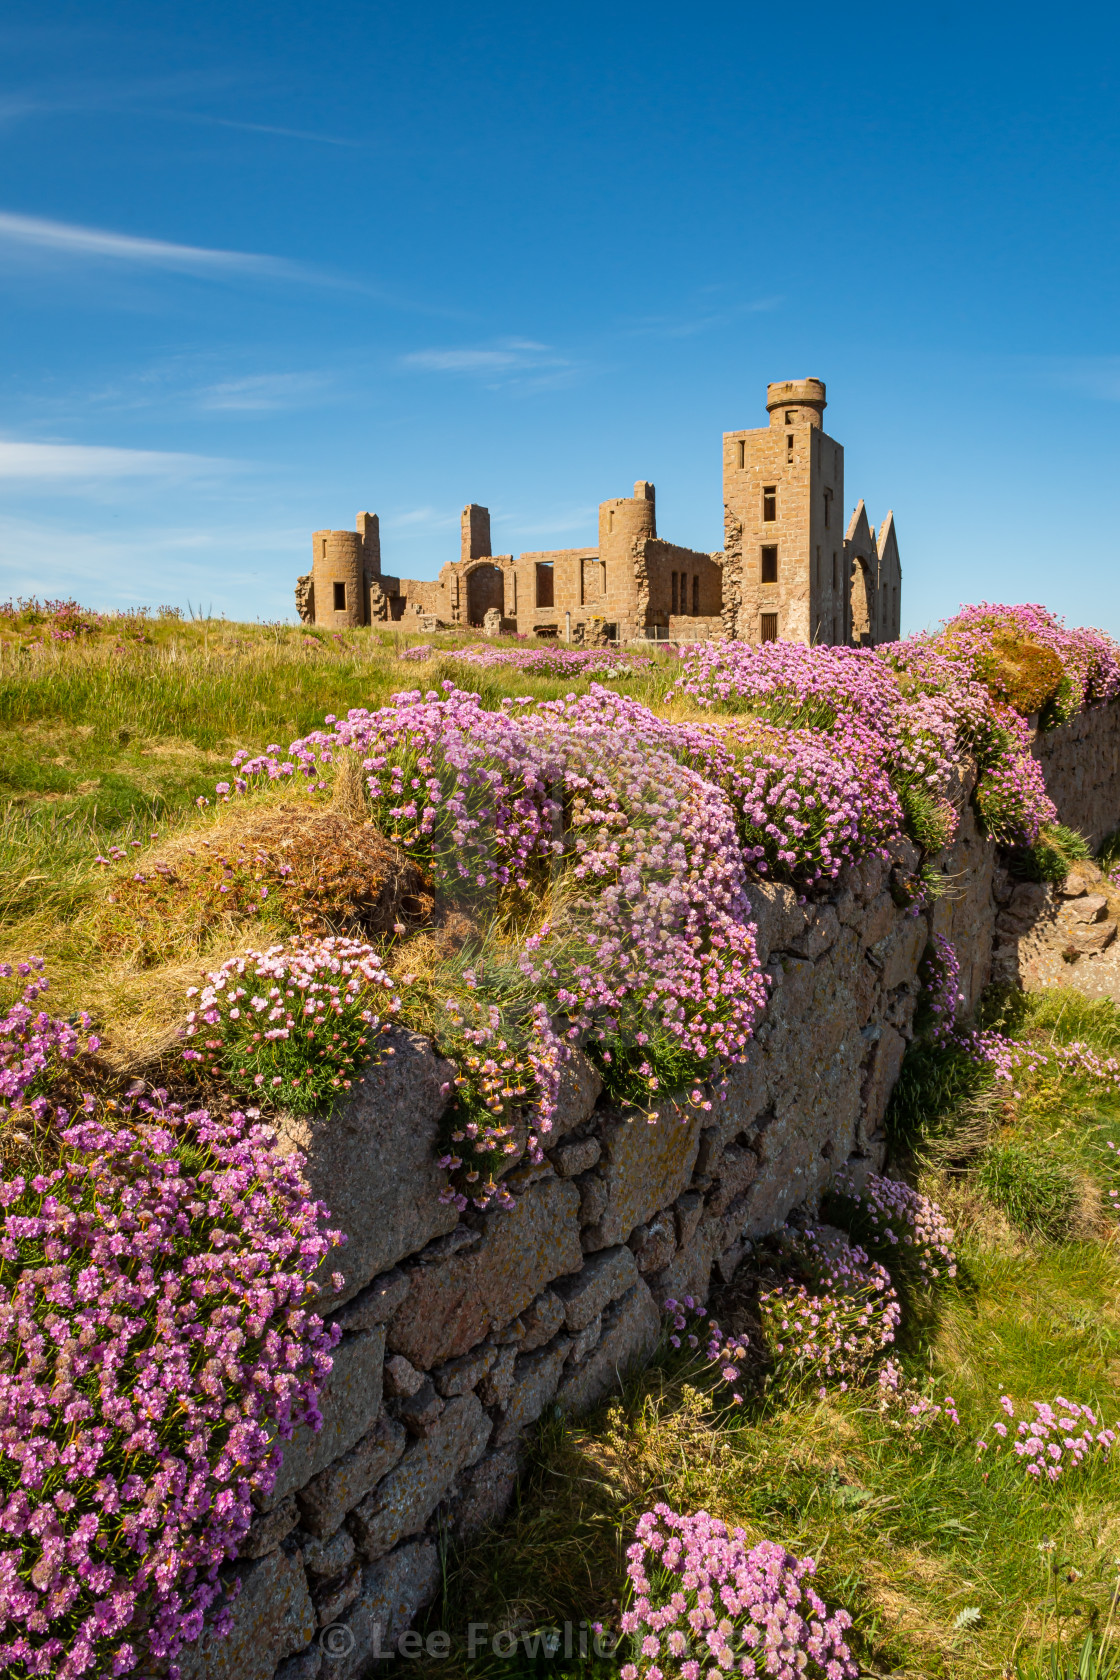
706, 1602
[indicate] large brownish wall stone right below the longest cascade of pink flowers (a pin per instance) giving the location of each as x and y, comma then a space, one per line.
644, 1168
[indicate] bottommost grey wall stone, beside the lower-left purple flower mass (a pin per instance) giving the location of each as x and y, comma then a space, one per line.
271, 1620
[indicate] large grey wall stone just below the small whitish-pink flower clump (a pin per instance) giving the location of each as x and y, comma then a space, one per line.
374, 1158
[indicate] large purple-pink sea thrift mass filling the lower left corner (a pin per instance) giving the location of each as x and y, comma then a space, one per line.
157, 1347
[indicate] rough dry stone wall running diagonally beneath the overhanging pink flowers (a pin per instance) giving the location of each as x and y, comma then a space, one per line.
459, 1331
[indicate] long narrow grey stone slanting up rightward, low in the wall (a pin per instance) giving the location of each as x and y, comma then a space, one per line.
406, 1499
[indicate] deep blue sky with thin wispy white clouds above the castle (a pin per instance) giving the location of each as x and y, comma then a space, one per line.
264, 266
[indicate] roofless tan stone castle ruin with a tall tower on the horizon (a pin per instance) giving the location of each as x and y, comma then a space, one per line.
788, 570
